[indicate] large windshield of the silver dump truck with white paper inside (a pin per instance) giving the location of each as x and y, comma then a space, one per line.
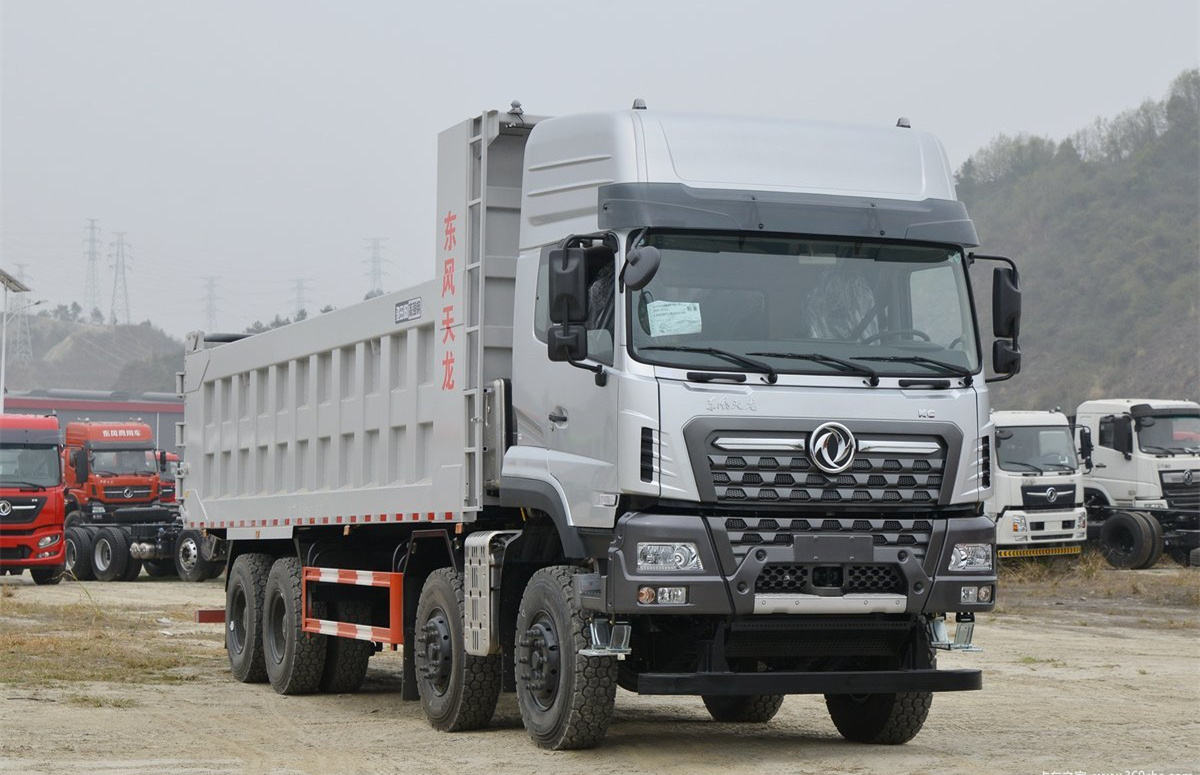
805, 305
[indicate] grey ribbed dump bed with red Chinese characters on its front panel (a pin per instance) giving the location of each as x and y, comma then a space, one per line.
375, 413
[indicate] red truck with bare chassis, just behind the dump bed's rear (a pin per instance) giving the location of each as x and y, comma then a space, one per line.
121, 518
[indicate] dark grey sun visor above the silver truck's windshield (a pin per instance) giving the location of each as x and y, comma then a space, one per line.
676, 206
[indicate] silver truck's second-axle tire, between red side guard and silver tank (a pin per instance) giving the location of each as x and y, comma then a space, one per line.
458, 690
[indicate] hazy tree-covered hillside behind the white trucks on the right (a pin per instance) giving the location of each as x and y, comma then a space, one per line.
1106, 230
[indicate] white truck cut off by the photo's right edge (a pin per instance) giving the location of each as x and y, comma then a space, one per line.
1142, 483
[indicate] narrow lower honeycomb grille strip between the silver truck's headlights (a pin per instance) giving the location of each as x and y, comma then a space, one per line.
746, 533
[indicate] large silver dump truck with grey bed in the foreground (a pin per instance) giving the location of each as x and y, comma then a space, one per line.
692, 406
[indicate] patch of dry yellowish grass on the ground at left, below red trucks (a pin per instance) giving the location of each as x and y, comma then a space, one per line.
55, 645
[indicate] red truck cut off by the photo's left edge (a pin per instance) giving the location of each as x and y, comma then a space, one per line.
32, 503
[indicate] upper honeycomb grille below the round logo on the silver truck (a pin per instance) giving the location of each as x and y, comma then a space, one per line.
885, 477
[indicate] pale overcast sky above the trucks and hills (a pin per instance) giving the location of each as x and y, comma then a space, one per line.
261, 142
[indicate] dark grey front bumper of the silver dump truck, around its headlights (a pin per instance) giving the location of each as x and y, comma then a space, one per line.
842, 566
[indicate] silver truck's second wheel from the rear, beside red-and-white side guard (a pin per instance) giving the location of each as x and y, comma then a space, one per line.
295, 659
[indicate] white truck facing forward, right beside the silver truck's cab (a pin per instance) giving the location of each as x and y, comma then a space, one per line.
1037, 496
